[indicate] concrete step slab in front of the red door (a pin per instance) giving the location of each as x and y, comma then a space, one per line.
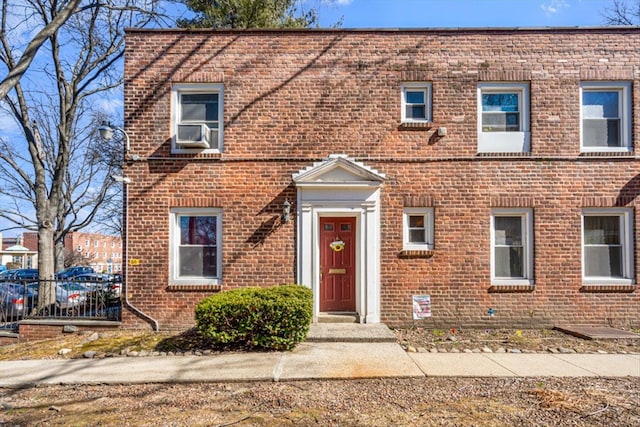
350, 332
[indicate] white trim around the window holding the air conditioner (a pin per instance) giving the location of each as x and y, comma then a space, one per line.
181, 88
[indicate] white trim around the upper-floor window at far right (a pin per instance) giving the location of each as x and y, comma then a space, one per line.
625, 107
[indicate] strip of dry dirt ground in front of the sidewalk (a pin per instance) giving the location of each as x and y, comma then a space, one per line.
397, 402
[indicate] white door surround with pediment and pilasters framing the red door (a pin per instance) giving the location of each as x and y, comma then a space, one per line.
340, 186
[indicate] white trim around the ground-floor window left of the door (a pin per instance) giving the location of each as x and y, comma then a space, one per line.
174, 236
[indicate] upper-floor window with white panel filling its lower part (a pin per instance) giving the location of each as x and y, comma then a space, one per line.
503, 117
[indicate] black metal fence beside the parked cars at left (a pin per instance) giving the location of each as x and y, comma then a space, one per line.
59, 298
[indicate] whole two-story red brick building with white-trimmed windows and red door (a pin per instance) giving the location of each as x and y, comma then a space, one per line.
490, 172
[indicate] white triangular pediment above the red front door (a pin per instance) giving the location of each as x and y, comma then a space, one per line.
338, 170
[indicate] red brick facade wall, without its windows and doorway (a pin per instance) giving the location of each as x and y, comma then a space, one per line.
294, 97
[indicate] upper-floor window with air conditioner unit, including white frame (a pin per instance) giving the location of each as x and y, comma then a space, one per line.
197, 117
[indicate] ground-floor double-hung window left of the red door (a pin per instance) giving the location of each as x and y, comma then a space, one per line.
196, 245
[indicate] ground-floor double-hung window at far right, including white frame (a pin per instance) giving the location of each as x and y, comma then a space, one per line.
607, 246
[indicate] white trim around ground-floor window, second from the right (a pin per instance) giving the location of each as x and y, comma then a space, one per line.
527, 233
